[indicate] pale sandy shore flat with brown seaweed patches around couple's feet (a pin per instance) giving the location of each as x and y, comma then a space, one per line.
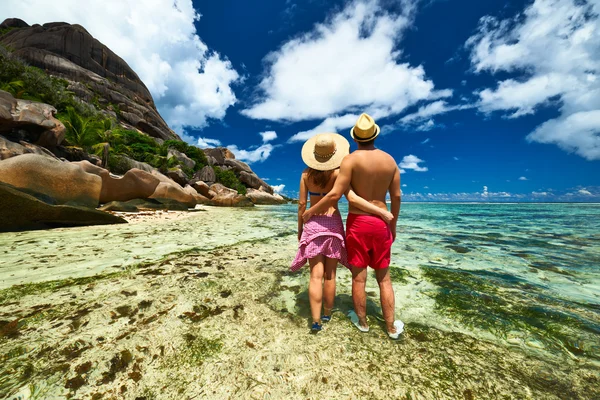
224, 320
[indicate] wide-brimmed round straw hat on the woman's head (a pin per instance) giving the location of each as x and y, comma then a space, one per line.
325, 151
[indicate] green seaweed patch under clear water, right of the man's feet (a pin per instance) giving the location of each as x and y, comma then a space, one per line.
501, 303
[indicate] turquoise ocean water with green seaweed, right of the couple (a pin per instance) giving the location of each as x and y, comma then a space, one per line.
526, 275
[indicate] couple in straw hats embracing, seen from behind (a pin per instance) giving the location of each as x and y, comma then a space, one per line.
365, 177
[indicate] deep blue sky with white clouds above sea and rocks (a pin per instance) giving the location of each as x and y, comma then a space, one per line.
477, 100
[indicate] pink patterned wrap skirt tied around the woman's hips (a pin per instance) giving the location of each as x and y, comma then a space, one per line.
323, 235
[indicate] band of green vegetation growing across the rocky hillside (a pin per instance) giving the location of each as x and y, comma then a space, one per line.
90, 128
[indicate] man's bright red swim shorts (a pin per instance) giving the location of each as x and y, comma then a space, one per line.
368, 241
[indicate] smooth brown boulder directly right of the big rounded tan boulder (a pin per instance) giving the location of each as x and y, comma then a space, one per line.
135, 184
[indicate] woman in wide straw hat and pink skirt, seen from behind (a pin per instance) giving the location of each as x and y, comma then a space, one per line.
322, 238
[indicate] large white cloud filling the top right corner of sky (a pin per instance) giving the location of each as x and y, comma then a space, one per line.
556, 45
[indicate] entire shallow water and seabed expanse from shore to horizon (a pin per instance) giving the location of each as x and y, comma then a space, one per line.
499, 301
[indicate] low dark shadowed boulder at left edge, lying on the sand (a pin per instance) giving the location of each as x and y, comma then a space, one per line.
19, 211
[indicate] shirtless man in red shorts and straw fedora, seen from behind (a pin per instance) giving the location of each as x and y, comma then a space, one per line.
371, 173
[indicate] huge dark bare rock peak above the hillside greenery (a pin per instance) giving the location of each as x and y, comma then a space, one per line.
70, 52
